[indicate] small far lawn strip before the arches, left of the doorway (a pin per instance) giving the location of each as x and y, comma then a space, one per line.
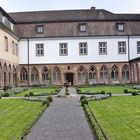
39, 91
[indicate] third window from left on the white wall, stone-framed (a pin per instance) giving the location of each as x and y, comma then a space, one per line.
83, 50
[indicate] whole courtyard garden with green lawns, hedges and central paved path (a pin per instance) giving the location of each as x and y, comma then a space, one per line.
26, 115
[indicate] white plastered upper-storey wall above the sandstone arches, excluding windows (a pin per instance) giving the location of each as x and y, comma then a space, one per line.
51, 50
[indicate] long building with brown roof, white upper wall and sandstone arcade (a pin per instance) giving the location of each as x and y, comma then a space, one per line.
78, 46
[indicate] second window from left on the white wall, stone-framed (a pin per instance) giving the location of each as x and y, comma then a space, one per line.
63, 48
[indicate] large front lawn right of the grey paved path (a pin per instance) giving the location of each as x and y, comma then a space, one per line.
119, 117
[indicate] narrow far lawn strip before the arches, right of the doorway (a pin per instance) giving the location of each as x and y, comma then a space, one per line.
112, 89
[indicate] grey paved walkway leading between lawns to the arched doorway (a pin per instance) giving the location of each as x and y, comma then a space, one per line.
63, 120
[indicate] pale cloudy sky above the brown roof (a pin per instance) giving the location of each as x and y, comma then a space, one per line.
116, 6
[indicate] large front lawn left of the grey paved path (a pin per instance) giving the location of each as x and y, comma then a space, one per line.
17, 116
